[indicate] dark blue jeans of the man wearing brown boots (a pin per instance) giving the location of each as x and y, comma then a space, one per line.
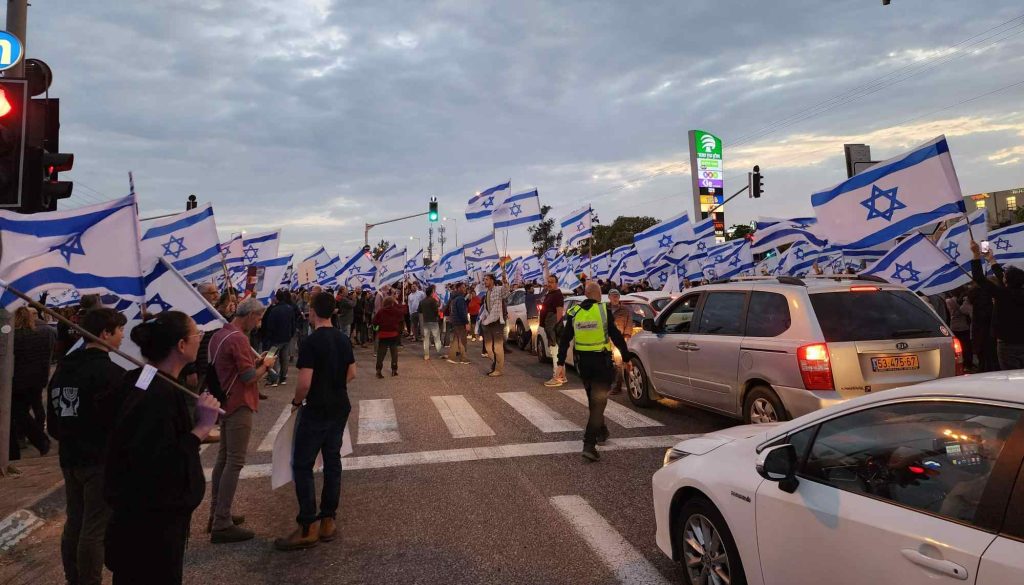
317, 434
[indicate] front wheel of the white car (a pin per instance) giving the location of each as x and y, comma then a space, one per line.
707, 549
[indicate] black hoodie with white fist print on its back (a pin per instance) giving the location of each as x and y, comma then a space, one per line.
84, 397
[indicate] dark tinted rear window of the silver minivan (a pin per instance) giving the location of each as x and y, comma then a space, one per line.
875, 315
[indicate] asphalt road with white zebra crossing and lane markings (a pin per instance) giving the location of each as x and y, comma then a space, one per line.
475, 480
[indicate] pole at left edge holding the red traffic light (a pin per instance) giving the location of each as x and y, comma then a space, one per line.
18, 18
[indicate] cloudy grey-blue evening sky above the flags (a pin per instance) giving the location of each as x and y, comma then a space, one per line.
317, 116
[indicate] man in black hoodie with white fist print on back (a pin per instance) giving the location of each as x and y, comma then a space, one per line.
84, 397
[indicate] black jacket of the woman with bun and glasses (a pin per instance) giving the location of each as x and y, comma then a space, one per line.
153, 461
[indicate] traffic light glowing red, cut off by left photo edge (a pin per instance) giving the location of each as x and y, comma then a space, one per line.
14, 120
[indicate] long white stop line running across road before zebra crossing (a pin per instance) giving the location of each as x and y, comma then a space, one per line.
478, 454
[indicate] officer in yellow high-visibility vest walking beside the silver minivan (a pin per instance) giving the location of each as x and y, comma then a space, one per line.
590, 325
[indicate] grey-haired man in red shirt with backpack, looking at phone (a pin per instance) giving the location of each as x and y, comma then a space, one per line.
239, 374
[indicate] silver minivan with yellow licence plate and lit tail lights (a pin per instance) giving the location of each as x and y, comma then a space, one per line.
771, 350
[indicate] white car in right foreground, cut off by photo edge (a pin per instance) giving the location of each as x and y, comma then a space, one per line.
912, 486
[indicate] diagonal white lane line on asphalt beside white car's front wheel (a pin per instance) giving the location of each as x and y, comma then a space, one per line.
617, 554
